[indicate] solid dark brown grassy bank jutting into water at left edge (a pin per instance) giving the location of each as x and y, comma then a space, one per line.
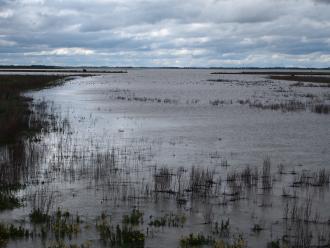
14, 108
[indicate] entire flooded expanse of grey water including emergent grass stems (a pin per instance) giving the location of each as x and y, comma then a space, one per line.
173, 158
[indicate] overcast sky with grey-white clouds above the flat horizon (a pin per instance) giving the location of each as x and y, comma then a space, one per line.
166, 32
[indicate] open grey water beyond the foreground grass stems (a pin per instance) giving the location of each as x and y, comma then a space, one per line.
187, 125
